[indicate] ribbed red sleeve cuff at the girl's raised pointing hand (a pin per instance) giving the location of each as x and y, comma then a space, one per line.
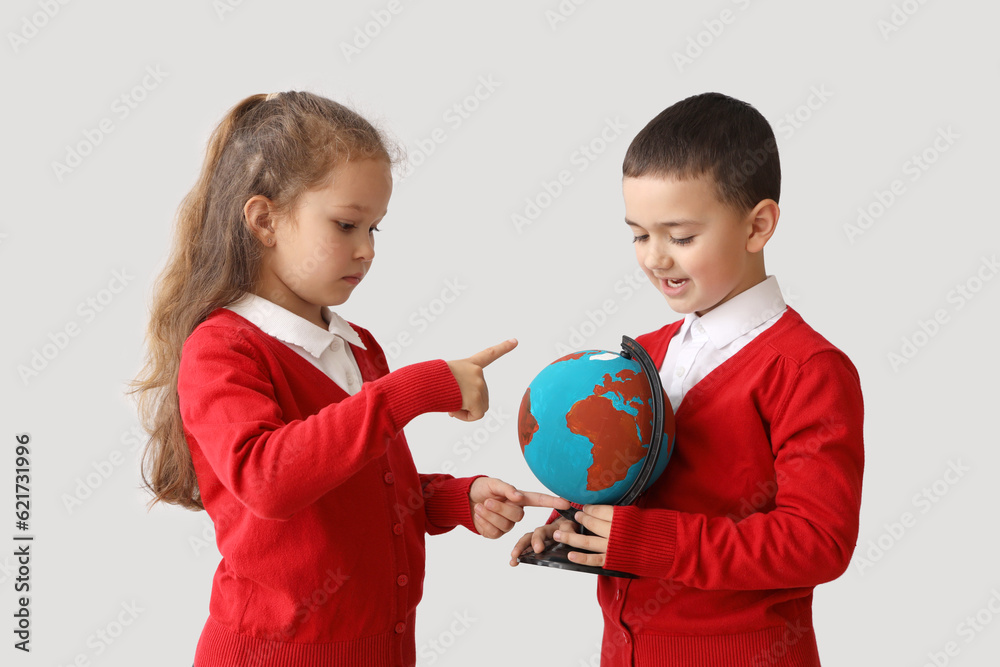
413, 390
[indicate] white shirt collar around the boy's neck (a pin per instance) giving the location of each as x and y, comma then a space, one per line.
742, 314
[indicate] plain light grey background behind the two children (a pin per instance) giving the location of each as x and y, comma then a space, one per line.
887, 97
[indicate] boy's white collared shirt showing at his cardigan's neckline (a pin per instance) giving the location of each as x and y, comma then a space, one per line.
703, 343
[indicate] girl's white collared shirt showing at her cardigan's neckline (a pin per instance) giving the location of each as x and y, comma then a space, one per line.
326, 350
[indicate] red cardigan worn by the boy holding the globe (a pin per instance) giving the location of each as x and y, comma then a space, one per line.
758, 505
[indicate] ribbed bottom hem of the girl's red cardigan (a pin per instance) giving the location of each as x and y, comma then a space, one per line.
221, 647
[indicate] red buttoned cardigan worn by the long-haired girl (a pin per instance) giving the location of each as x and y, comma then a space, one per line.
319, 512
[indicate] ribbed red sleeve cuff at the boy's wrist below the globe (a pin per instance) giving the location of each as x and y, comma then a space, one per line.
642, 542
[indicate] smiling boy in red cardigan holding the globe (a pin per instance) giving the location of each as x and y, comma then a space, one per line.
760, 501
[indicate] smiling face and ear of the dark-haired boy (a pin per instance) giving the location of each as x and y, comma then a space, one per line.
697, 251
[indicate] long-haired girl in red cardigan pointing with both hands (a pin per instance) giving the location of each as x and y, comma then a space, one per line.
280, 419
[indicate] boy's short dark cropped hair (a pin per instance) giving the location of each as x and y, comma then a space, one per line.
711, 134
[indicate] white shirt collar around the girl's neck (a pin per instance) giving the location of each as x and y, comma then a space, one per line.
286, 326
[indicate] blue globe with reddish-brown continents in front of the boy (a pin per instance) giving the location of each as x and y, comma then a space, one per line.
585, 424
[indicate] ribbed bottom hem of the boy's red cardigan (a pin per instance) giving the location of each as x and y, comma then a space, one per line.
769, 647
